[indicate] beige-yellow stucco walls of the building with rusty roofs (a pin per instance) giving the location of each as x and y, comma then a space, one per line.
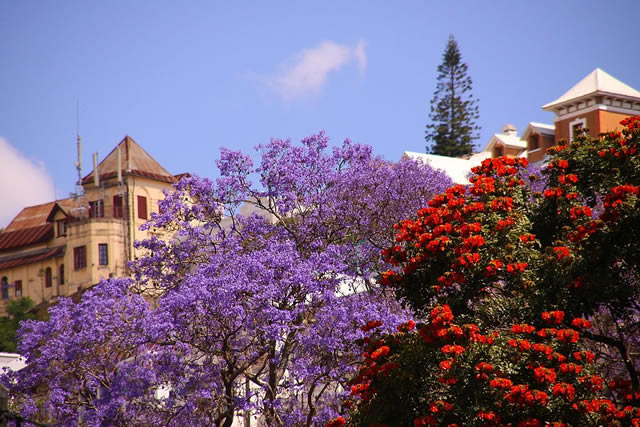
117, 233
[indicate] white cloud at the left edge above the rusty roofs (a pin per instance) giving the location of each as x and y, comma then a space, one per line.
22, 183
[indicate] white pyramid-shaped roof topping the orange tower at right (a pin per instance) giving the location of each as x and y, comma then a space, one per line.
596, 82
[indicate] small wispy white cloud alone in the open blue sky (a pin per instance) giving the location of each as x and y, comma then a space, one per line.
307, 73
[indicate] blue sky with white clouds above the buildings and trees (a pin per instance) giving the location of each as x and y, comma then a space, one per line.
186, 78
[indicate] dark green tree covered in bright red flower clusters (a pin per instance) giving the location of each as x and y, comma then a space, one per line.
545, 289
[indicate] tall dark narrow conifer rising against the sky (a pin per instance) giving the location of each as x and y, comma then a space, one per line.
454, 110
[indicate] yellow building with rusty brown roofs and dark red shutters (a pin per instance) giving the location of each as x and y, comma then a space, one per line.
62, 247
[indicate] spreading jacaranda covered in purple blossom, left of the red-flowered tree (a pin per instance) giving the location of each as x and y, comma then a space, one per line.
256, 286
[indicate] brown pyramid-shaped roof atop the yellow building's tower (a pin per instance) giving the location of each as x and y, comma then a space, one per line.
134, 160
